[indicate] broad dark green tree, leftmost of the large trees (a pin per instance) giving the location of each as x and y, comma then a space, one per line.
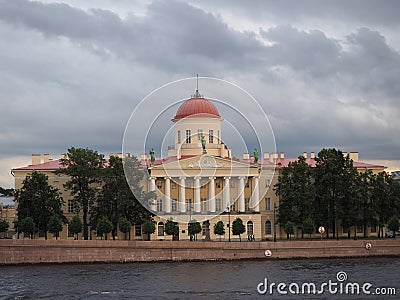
39, 200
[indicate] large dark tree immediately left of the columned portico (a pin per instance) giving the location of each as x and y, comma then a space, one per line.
116, 199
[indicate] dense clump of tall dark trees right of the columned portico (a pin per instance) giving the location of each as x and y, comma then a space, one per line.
335, 193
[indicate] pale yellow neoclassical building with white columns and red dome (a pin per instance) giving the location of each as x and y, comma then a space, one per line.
201, 180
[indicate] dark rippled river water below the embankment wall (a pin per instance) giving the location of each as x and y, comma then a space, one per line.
204, 280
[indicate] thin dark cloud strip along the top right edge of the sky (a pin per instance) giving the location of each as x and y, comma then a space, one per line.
374, 12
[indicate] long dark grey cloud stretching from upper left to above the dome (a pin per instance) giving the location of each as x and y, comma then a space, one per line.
172, 35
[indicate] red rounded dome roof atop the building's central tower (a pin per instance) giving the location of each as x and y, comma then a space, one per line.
197, 107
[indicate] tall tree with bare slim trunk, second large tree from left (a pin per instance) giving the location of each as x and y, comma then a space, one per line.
83, 166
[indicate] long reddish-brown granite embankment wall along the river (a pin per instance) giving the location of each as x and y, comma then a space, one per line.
67, 251
